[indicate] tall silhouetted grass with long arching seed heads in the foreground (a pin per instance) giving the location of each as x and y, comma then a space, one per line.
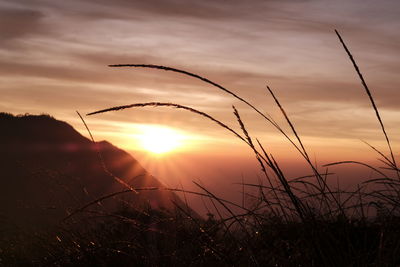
290, 222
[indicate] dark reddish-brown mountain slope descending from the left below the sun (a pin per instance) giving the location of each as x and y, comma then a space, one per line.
49, 170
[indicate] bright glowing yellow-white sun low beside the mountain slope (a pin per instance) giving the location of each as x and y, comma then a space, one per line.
160, 140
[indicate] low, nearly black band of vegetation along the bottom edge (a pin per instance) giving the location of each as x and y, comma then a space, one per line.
155, 238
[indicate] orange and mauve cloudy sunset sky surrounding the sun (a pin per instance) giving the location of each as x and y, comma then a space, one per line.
54, 58
